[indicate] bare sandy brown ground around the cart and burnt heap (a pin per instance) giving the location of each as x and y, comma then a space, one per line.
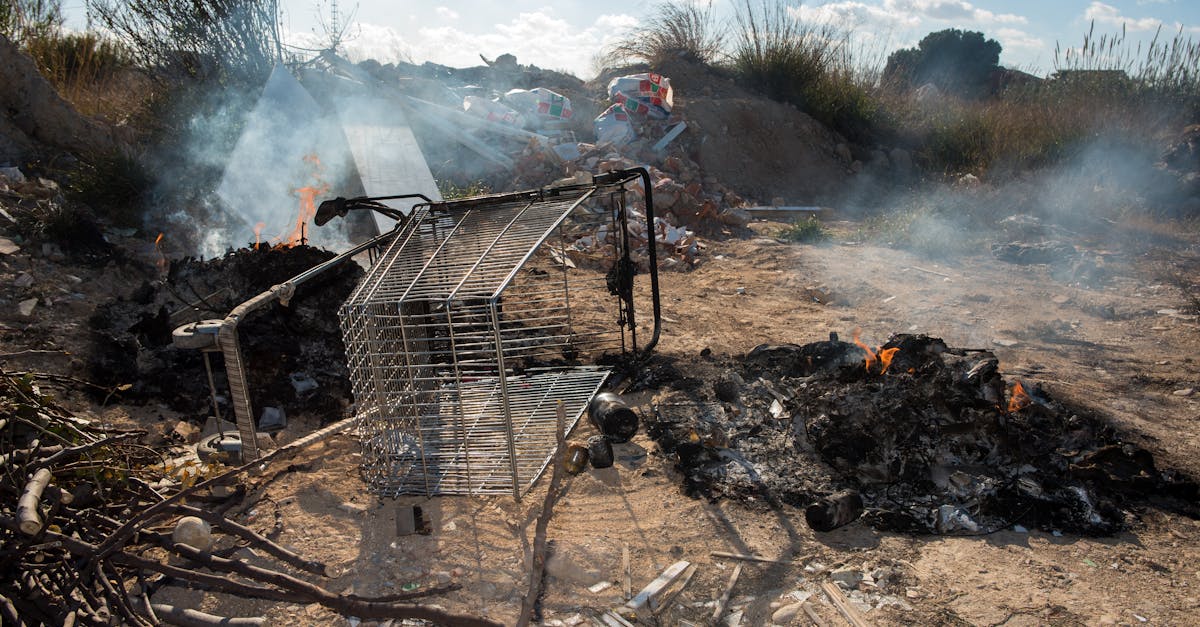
1126, 349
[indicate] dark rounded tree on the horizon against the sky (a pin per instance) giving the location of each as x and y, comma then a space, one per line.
953, 61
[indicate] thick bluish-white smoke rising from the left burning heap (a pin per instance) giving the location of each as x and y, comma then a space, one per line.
241, 166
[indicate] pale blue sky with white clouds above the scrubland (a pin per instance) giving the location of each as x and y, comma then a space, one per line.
569, 34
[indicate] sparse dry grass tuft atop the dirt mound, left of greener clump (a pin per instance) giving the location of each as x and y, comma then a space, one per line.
677, 28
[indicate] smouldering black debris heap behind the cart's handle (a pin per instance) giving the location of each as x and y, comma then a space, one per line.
296, 356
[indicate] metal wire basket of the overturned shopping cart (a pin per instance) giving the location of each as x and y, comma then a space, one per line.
482, 318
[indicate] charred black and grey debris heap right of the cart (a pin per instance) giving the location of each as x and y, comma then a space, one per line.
933, 439
